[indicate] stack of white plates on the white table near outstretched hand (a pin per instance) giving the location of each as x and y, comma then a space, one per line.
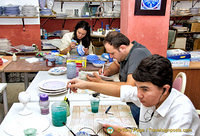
53, 86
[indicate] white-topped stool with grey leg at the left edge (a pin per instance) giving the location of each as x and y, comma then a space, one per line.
3, 91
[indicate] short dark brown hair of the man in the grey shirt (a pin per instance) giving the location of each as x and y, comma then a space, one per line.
116, 39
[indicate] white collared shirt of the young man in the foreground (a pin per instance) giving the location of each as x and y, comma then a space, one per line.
176, 116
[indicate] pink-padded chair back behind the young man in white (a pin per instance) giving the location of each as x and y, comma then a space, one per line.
180, 82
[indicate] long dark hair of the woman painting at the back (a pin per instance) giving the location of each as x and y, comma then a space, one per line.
85, 40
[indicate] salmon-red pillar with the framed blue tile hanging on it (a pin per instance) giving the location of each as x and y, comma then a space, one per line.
151, 31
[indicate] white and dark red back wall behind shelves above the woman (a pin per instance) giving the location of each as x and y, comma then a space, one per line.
70, 23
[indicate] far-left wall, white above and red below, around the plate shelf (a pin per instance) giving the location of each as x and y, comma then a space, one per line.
12, 28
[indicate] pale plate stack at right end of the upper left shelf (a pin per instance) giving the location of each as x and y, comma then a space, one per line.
29, 10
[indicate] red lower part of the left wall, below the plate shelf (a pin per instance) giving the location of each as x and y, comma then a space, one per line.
17, 36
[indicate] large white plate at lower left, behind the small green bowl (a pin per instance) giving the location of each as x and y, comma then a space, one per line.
18, 125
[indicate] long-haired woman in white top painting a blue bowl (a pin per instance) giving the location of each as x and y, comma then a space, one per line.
81, 35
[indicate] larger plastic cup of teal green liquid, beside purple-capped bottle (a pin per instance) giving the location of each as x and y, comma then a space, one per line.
59, 114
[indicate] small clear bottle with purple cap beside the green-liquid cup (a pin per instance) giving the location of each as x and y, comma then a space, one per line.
44, 104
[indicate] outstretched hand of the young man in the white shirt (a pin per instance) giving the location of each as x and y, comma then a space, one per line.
76, 83
